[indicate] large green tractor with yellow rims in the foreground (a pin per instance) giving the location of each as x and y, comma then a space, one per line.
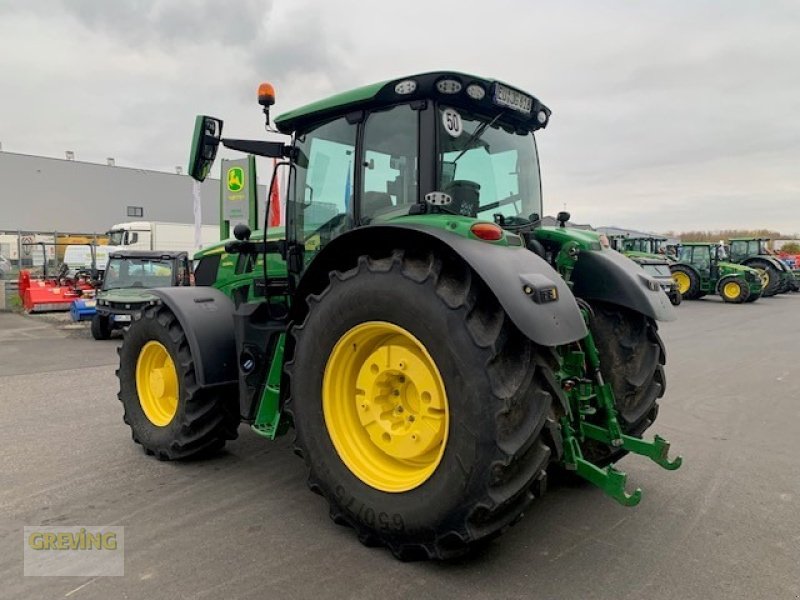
436, 352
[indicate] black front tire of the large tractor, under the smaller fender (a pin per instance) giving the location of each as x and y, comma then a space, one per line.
203, 419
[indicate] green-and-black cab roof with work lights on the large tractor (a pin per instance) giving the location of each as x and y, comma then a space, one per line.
416, 87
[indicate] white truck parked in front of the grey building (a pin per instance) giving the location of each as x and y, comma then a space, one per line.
158, 235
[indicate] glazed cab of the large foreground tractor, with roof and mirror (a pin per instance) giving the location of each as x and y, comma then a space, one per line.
446, 144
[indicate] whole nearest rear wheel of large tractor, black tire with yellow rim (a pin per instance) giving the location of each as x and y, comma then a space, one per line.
495, 397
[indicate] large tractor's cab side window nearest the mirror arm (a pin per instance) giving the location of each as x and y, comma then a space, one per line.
324, 183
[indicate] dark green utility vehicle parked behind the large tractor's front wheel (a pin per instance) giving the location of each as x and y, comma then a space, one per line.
129, 279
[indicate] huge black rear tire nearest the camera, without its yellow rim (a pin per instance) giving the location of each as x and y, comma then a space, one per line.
499, 404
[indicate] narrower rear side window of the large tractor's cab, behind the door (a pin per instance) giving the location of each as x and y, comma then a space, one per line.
390, 161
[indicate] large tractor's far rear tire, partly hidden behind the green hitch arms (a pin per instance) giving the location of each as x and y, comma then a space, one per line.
632, 359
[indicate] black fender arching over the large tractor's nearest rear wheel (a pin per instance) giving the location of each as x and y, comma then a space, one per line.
506, 270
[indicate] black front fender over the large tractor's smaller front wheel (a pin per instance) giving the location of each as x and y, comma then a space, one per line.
206, 317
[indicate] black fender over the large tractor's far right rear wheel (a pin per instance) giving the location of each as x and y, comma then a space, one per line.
608, 276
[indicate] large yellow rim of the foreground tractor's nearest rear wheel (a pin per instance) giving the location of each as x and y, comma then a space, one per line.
385, 406
